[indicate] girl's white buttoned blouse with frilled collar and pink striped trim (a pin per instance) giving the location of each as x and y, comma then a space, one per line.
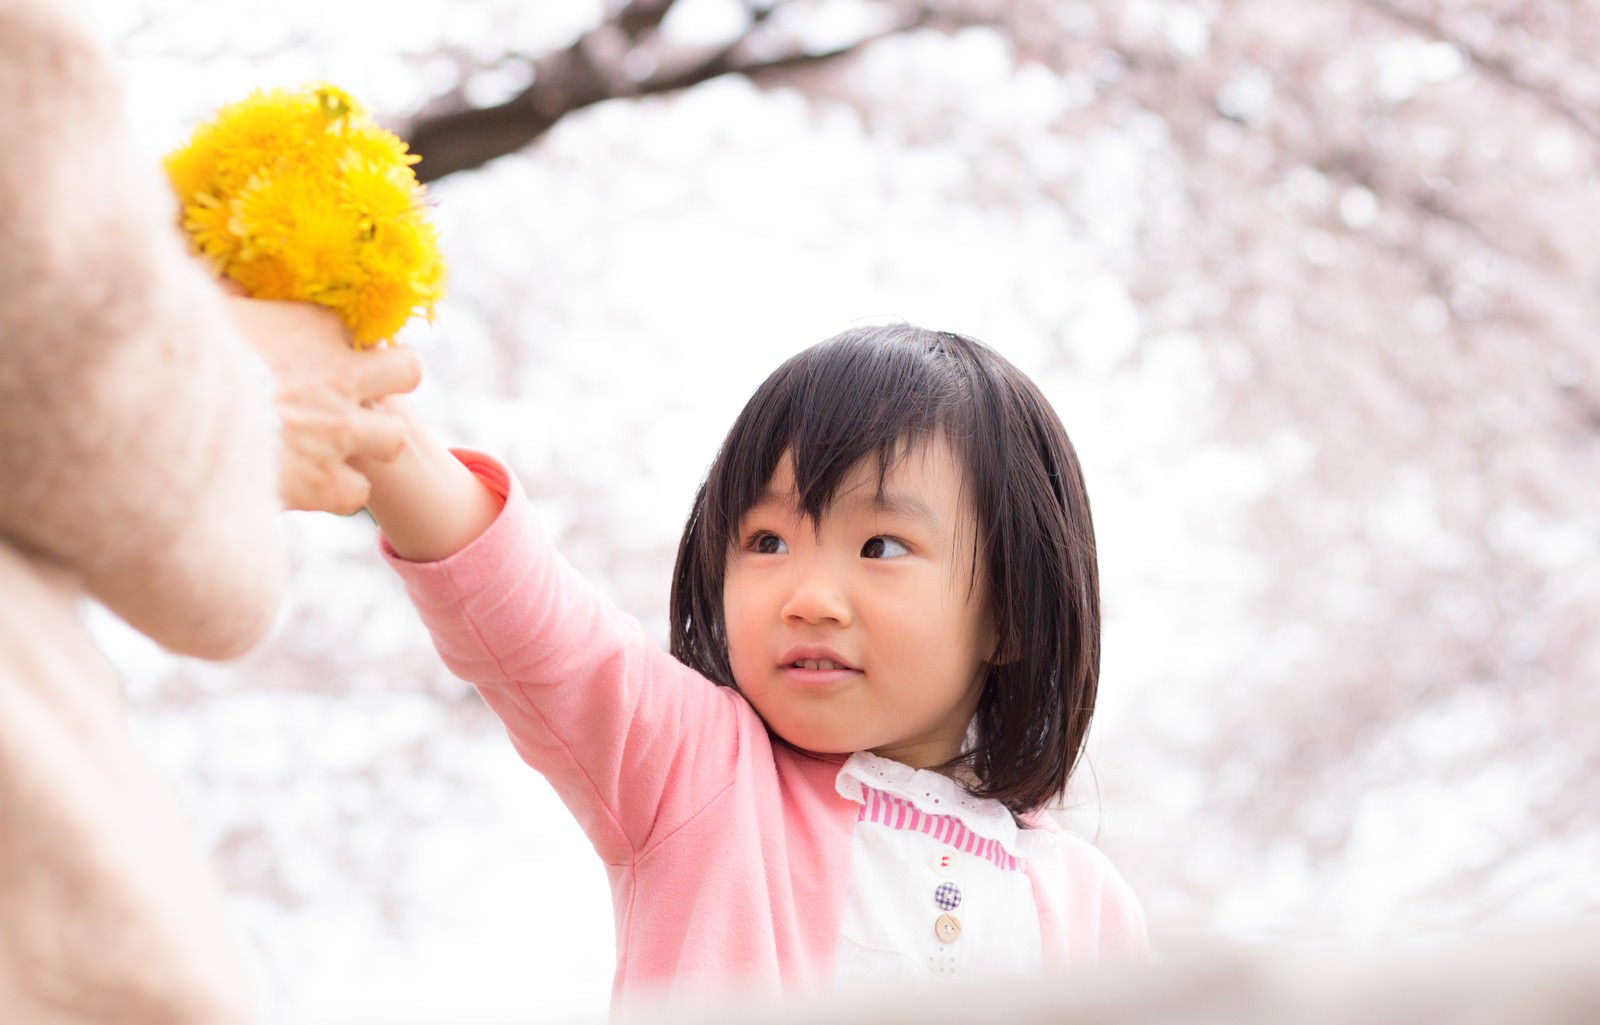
937, 885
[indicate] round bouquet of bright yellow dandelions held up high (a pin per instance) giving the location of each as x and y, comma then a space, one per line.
298, 194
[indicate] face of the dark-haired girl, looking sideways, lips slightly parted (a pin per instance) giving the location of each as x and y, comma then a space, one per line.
865, 631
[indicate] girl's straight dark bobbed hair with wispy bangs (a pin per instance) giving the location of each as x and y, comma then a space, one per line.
870, 393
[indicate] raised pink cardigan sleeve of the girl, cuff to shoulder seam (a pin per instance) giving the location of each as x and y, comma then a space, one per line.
633, 741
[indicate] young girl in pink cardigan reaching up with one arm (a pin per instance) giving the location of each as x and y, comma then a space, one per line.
886, 648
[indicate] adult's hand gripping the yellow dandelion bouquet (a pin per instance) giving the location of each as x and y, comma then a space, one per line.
329, 401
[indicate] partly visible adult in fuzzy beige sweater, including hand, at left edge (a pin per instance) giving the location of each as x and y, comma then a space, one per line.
140, 466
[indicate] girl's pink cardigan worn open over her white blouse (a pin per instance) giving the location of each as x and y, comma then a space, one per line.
729, 853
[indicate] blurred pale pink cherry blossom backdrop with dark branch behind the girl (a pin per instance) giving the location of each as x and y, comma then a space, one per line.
1311, 285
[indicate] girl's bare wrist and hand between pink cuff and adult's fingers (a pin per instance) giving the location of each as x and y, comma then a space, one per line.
426, 503
